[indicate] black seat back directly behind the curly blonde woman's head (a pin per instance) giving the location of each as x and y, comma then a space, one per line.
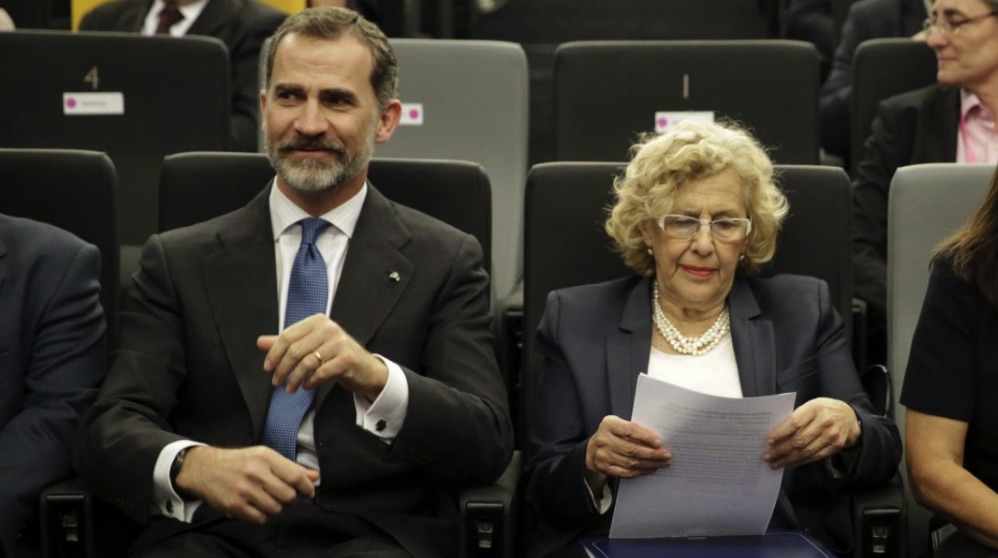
607, 93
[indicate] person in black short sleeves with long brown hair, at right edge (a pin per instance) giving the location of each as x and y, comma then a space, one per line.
950, 385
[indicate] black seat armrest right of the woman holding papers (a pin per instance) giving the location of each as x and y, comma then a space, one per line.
879, 522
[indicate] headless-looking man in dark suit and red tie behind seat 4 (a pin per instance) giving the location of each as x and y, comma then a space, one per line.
242, 25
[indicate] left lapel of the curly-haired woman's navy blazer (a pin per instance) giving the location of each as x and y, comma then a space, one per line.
628, 349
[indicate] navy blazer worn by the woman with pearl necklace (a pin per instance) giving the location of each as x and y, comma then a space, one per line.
787, 337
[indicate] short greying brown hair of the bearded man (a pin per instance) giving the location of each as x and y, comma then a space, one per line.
331, 23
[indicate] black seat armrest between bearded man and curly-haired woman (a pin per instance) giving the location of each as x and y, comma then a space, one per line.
488, 518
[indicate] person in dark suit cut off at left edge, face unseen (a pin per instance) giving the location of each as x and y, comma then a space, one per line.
52, 359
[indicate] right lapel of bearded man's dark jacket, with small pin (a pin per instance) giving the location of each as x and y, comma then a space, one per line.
368, 289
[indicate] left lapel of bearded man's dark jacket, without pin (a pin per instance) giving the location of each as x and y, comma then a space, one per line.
244, 300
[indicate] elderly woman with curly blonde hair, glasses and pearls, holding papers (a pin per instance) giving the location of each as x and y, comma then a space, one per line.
696, 213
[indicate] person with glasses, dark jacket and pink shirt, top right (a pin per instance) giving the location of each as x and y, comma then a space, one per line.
951, 121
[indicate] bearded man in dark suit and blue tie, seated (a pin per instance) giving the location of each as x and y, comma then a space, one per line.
408, 402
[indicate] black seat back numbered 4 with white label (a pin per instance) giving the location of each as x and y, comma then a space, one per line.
133, 97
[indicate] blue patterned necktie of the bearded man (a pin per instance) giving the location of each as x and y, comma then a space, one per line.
307, 293
